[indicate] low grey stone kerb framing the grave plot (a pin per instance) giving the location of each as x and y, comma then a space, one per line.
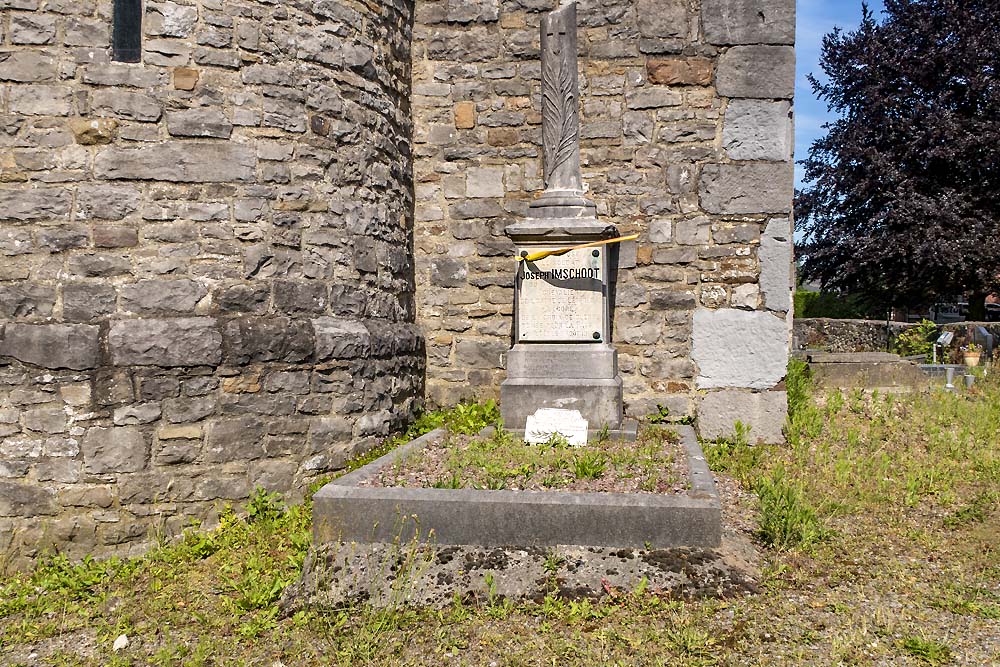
344, 511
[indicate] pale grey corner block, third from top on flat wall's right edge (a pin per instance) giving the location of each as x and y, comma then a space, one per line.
758, 130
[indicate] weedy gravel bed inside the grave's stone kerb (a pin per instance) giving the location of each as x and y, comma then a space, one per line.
655, 463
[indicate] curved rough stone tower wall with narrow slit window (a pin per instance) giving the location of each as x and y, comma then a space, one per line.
206, 280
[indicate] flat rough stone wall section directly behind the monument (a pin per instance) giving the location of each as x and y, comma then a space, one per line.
686, 139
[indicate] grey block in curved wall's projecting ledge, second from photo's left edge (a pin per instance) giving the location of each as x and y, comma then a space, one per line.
182, 341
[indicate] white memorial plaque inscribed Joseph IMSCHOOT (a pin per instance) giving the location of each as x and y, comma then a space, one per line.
561, 297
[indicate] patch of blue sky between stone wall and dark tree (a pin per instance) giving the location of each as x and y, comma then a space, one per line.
816, 18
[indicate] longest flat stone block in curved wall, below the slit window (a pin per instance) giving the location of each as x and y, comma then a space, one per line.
178, 163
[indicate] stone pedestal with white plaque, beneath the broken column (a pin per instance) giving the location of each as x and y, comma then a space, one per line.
562, 355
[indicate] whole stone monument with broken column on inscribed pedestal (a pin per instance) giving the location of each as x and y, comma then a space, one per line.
562, 355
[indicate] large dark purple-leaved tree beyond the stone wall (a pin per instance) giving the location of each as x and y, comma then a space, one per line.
902, 203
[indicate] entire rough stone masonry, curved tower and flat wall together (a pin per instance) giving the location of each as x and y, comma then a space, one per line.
214, 259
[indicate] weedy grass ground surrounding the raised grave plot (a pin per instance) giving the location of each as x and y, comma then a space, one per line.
877, 522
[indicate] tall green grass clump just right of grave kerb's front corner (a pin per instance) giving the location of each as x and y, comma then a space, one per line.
786, 519
